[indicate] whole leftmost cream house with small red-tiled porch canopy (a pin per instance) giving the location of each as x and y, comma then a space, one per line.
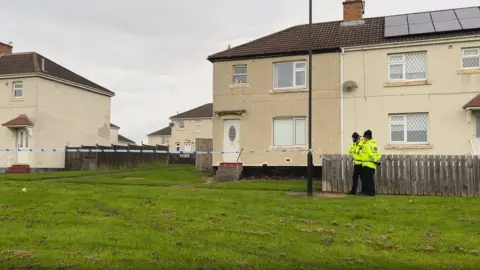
43, 105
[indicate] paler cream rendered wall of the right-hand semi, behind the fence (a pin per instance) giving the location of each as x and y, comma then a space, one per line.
442, 98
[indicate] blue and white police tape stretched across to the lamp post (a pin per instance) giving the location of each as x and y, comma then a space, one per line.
95, 150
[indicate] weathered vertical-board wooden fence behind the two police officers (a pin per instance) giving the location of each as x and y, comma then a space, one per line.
409, 175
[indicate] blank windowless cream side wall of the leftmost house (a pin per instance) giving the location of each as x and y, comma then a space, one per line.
70, 116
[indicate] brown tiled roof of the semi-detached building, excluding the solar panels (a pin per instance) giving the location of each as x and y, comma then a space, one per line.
327, 36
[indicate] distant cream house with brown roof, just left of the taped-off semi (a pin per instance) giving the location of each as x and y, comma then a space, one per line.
190, 125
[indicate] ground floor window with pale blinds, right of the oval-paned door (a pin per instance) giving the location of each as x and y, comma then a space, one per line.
289, 132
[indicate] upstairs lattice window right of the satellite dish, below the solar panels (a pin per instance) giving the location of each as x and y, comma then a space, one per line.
407, 67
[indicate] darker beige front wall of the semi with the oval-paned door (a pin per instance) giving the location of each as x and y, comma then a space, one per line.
262, 105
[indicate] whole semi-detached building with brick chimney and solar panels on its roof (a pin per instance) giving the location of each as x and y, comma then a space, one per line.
405, 77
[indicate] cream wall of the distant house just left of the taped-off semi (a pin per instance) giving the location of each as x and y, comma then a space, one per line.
189, 132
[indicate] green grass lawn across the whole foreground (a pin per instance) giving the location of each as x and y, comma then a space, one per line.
144, 220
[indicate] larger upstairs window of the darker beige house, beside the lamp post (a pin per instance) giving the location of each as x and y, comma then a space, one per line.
289, 75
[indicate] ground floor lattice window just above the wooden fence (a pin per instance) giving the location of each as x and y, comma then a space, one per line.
409, 128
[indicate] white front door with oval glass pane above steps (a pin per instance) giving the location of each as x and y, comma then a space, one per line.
231, 140
